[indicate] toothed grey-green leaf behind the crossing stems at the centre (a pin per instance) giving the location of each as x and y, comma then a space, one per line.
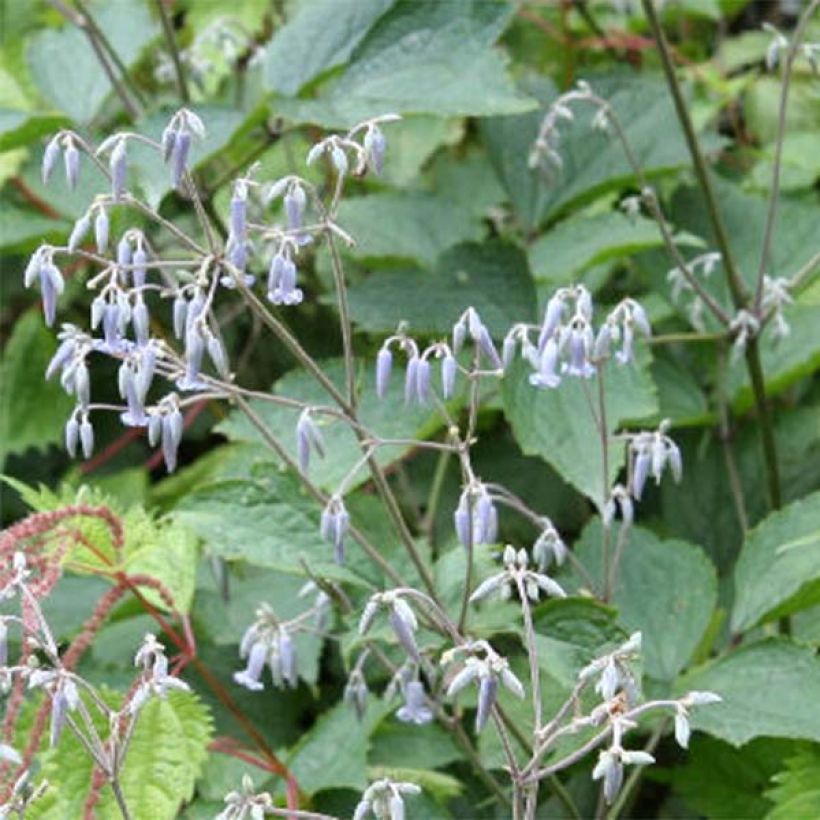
386, 418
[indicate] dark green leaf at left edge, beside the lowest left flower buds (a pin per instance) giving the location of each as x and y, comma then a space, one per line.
33, 411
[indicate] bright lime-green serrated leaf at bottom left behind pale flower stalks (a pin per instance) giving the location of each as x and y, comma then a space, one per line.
167, 751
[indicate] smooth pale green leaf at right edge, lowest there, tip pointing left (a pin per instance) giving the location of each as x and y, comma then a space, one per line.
769, 688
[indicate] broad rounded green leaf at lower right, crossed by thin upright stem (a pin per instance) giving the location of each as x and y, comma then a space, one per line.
667, 589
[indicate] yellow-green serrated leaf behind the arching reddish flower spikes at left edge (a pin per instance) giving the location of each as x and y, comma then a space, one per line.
157, 547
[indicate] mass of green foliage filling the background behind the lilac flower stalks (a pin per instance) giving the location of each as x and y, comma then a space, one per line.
457, 219
